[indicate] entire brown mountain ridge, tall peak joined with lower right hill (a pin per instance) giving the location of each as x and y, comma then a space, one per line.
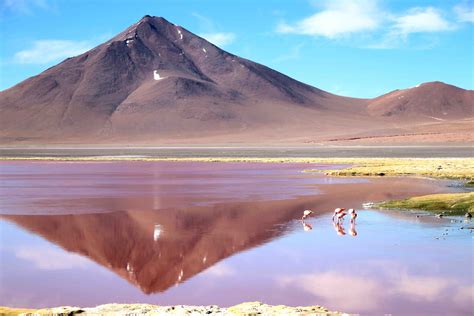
156, 82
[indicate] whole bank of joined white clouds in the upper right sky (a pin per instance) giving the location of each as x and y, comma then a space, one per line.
376, 26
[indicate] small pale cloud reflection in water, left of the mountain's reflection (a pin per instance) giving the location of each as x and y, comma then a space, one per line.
50, 258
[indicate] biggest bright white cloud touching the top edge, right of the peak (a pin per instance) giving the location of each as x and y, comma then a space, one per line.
338, 18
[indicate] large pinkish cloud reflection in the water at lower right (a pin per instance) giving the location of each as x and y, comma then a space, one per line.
366, 288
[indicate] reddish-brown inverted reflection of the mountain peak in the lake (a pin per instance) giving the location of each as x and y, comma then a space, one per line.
181, 243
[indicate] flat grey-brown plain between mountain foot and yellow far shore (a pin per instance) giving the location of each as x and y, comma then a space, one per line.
439, 151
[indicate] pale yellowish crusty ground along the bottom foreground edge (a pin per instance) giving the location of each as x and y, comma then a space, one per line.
250, 308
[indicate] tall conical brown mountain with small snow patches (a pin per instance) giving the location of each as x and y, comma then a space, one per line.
111, 90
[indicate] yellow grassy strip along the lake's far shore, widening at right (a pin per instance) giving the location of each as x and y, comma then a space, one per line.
440, 168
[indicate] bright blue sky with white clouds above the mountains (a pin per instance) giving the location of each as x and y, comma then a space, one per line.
358, 48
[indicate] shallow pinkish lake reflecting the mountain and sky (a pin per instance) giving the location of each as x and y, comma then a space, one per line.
166, 233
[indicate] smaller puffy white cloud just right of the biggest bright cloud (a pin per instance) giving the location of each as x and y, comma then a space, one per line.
421, 20
